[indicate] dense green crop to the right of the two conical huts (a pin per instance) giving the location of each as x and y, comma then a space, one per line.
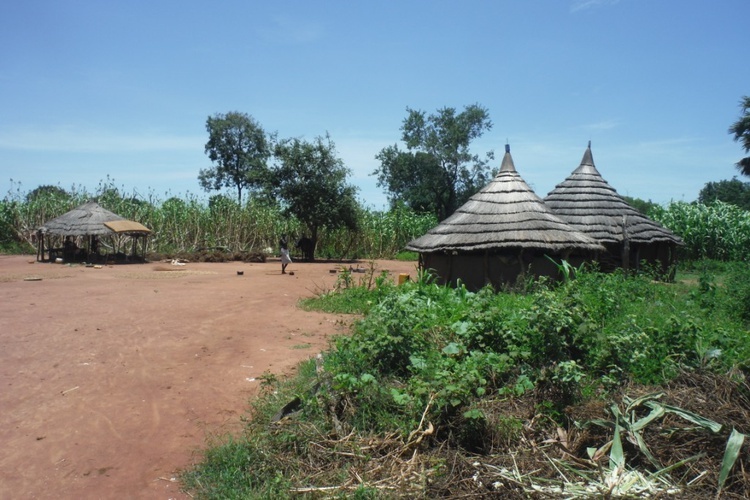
718, 231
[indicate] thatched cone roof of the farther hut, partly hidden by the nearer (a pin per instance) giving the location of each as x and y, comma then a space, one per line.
588, 203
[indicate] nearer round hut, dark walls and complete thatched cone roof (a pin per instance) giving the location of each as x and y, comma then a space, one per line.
502, 232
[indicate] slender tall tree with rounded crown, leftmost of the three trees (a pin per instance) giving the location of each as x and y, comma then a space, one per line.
239, 148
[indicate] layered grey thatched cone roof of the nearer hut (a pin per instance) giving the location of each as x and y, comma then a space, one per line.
504, 214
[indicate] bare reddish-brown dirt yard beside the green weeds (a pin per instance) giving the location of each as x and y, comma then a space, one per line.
114, 378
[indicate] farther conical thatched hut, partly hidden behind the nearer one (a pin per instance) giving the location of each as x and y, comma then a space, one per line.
588, 203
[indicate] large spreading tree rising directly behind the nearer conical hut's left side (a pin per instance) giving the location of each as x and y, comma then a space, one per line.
438, 172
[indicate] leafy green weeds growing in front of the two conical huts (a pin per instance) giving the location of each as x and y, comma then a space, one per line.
440, 347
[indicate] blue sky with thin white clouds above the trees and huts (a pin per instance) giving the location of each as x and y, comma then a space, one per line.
91, 90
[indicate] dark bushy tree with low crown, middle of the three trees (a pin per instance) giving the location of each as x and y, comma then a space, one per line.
310, 181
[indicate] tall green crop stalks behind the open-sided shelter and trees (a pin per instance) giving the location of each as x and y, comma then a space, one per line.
187, 223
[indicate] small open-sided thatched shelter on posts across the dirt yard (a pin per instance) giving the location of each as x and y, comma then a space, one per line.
86, 224
